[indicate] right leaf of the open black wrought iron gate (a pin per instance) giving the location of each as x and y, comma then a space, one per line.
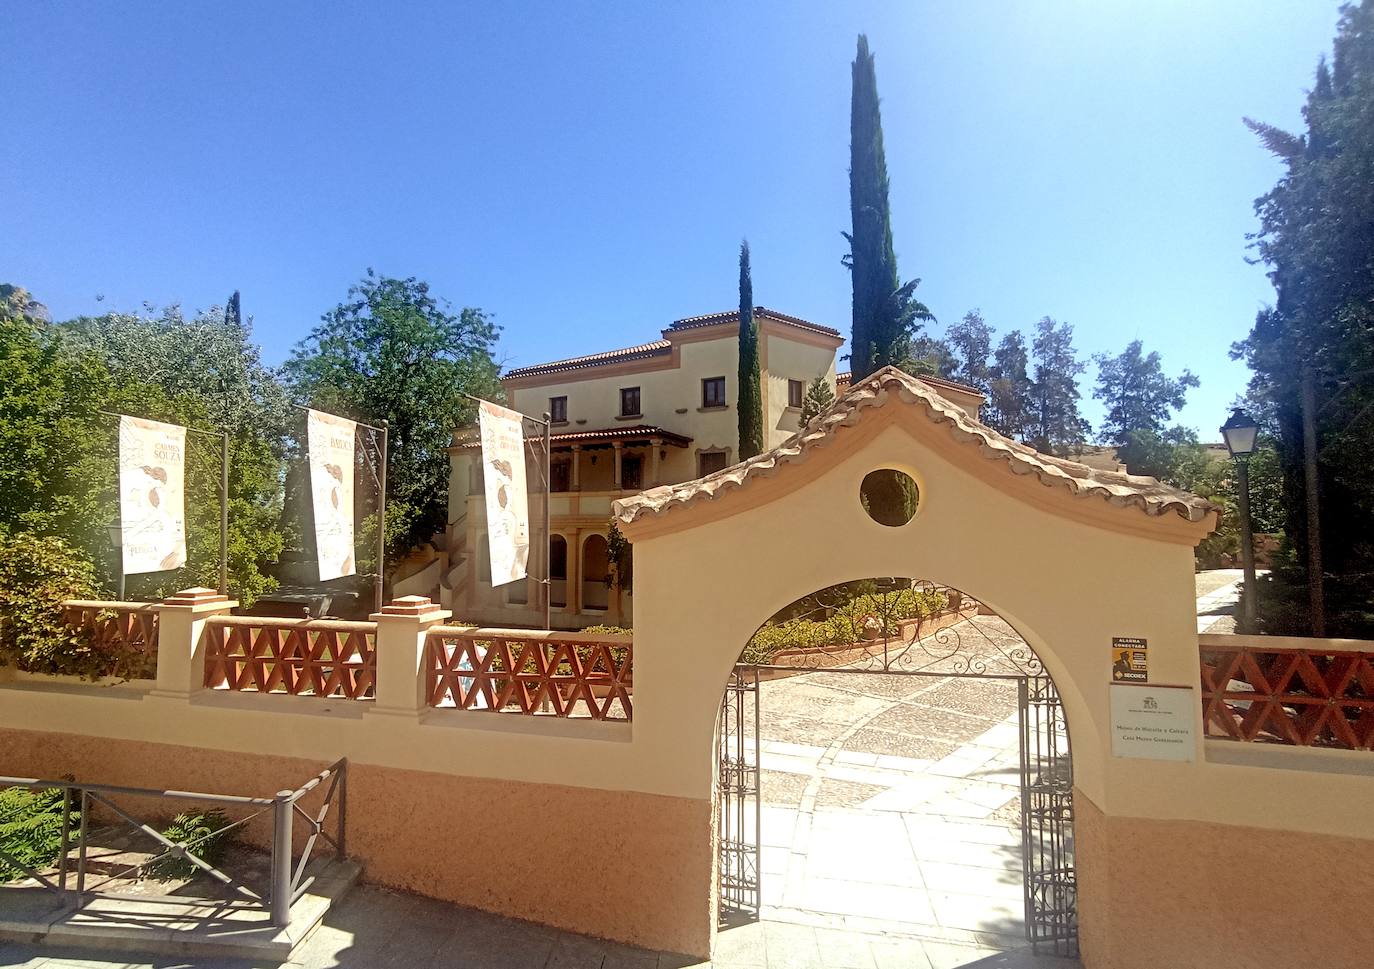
1052, 893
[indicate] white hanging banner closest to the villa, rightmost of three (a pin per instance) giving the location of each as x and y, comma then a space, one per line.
508, 505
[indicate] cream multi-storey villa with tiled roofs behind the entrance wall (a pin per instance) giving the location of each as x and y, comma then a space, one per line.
626, 421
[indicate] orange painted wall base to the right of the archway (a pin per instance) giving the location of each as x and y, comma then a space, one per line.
1200, 895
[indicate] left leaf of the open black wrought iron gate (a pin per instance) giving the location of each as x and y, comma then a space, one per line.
739, 798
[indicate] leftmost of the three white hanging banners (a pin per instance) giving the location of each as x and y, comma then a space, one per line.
152, 495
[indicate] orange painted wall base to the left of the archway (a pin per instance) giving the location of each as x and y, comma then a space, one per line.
611, 864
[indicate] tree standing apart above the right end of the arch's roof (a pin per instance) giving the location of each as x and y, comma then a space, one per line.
1140, 398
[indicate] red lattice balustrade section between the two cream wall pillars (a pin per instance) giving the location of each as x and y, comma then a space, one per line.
299, 658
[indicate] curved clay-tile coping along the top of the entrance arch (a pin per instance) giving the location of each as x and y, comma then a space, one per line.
1147, 494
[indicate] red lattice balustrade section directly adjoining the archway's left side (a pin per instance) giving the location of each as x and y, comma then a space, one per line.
537, 674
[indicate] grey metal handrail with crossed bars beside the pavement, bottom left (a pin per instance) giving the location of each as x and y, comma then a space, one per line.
286, 884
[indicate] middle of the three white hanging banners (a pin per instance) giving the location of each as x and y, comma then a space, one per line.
330, 442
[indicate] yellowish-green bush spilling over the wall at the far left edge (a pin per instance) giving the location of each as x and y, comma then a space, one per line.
36, 575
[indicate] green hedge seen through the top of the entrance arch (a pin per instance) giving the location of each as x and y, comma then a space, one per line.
847, 625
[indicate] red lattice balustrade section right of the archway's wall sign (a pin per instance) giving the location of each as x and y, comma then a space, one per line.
1287, 691
